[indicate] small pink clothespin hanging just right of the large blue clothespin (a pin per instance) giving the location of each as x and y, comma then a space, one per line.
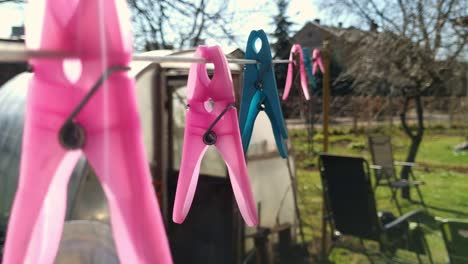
297, 57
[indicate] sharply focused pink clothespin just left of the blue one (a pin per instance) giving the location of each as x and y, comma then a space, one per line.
212, 120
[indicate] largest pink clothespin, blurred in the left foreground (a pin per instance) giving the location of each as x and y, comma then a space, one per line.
83, 106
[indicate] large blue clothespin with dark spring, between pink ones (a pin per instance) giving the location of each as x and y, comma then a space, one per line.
260, 93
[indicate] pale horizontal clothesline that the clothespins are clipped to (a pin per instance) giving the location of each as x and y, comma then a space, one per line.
13, 56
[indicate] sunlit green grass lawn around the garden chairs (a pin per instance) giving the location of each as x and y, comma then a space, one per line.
444, 171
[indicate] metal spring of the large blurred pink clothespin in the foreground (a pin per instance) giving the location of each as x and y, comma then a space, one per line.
72, 135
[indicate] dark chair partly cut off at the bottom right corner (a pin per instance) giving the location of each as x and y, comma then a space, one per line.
455, 234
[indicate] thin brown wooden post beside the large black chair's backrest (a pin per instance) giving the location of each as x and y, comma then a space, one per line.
325, 111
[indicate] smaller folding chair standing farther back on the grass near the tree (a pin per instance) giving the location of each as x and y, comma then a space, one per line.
384, 168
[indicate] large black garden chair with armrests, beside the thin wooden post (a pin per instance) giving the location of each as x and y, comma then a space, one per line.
351, 209
